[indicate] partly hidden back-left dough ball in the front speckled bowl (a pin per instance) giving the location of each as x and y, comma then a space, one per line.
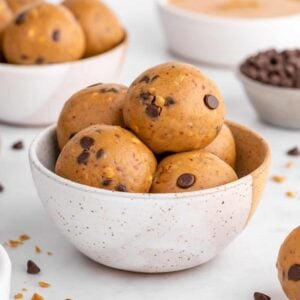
97, 104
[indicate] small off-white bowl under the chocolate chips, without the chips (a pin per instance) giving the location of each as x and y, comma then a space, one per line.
278, 106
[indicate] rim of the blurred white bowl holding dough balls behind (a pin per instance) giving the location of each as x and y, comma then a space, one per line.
41, 68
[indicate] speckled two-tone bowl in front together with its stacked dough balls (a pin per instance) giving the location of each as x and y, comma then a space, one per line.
150, 178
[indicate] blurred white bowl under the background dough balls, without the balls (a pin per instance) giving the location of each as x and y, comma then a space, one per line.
34, 95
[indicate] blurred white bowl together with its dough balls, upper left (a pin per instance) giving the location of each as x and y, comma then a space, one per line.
49, 51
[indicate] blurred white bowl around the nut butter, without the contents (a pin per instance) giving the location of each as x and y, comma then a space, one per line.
223, 40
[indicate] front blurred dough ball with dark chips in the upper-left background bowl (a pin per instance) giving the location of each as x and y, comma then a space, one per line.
45, 33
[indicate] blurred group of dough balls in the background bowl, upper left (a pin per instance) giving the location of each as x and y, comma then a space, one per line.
35, 32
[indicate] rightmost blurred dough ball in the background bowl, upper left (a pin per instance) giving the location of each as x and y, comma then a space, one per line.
102, 29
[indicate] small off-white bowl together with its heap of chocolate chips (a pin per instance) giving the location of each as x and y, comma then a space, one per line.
271, 80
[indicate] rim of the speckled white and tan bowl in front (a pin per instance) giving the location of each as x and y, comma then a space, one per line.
34, 161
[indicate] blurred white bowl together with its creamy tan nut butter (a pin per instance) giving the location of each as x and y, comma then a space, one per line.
223, 32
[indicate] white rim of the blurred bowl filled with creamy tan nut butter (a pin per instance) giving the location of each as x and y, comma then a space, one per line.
198, 16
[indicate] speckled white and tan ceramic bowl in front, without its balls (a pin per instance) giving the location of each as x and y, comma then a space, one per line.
152, 232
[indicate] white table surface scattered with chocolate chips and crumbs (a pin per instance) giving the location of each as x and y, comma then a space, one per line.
246, 266
